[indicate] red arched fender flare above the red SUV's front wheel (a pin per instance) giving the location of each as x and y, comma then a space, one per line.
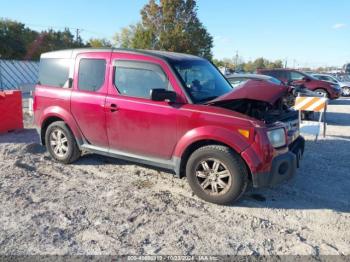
229, 137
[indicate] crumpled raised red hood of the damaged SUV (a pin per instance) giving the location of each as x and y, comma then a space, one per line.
259, 90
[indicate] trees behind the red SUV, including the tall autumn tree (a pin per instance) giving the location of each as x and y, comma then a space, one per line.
164, 25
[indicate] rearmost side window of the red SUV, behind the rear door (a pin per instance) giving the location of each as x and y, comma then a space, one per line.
54, 72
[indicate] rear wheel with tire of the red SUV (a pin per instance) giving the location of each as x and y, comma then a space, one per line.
61, 143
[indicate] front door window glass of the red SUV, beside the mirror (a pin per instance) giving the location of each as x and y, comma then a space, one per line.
136, 79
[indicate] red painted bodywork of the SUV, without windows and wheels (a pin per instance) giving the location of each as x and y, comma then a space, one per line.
152, 128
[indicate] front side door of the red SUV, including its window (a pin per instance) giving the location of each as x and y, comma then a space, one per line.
136, 124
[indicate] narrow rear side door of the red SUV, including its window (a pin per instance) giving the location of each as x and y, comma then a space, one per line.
89, 96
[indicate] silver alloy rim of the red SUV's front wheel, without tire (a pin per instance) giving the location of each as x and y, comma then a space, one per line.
213, 176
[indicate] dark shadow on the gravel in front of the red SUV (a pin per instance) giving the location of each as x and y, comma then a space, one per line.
322, 182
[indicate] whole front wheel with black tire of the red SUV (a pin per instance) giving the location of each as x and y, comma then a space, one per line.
217, 174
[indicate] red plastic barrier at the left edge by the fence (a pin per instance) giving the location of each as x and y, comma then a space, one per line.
10, 111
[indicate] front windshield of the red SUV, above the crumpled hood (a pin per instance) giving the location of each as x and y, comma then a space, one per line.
202, 80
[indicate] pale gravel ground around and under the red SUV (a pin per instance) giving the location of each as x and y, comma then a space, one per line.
102, 205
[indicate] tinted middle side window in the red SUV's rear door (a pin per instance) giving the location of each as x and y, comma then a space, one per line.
91, 74
